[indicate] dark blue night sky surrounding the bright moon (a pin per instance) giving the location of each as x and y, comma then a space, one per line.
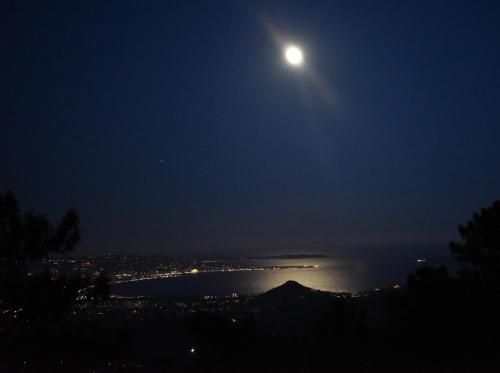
94, 96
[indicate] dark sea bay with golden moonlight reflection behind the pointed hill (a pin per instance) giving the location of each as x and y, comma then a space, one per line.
321, 273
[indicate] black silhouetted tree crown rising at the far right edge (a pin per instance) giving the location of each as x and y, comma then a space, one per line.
480, 245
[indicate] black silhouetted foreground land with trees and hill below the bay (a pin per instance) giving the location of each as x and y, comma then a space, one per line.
436, 323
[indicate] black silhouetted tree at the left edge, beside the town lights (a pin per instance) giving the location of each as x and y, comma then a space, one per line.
29, 237
